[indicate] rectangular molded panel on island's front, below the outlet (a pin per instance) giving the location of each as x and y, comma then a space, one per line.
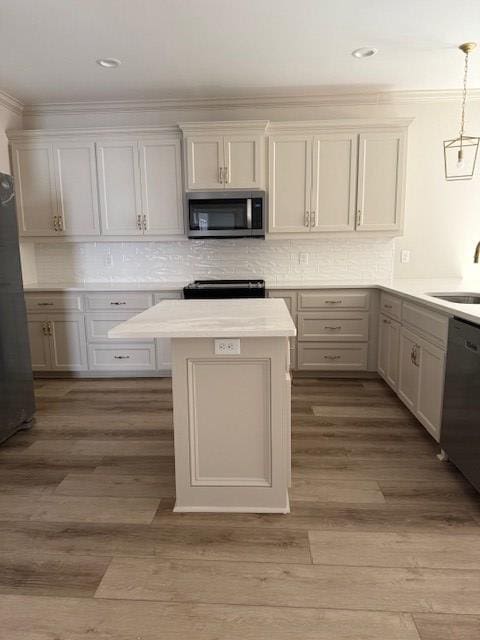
240, 453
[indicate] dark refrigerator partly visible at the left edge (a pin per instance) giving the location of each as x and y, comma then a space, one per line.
17, 404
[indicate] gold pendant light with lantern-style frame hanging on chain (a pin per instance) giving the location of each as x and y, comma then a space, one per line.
460, 154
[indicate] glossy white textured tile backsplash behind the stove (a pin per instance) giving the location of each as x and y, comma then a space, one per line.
364, 260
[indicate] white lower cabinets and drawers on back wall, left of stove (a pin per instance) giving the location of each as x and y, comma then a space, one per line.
79, 341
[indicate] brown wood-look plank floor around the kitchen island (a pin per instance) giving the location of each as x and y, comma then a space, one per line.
383, 541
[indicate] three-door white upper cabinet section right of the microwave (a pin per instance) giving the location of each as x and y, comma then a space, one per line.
334, 181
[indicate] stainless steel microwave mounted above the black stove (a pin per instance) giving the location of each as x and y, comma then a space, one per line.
226, 214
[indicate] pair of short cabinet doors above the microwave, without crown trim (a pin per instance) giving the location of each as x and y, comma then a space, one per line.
224, 161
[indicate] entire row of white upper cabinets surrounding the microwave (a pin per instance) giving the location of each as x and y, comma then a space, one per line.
324, 177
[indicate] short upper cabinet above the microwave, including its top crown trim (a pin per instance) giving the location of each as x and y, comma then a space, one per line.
224, 155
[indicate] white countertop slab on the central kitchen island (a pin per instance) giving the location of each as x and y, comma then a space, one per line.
232, 318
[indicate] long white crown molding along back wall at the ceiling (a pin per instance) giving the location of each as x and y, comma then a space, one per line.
239, 102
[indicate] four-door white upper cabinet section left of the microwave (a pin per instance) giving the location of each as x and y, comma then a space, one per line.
88, 185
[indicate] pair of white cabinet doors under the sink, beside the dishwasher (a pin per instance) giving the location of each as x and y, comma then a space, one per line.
421, 379
